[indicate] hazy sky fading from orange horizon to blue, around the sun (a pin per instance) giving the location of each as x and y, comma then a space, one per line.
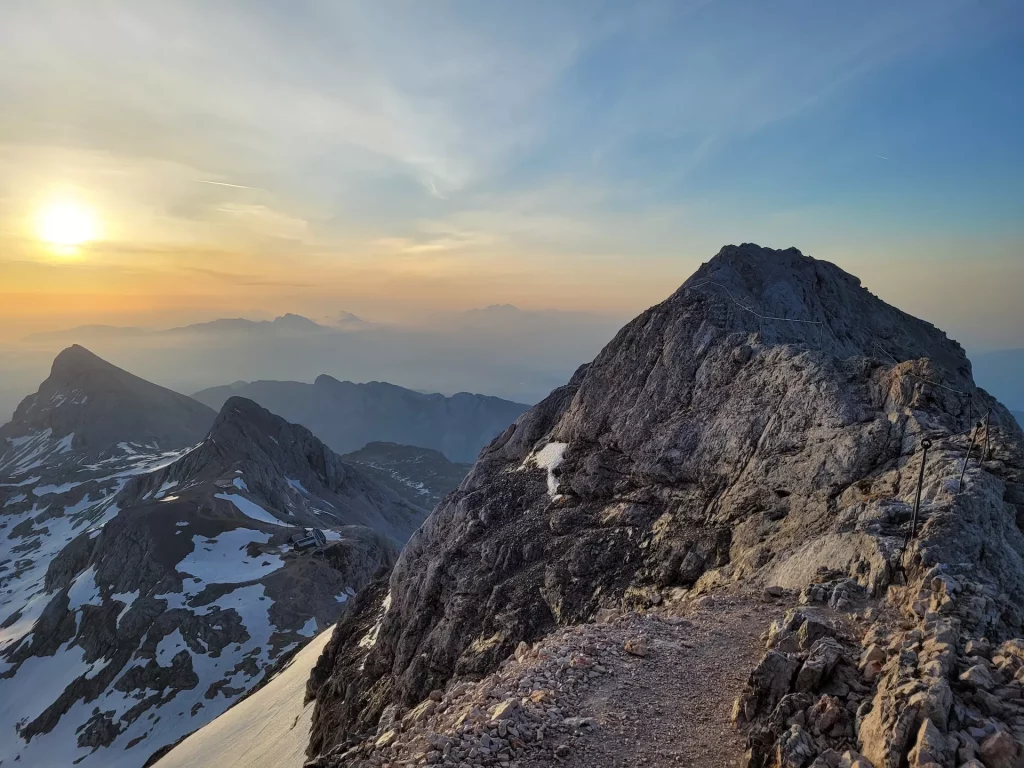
399, 158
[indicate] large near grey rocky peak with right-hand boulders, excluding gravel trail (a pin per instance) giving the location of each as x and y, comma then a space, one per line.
762, 428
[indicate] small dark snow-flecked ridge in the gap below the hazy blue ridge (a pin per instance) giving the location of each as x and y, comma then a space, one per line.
421, 476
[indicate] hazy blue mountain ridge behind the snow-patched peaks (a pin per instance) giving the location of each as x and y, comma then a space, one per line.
348, 416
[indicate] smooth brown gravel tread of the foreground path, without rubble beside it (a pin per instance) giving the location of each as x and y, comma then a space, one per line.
672, 707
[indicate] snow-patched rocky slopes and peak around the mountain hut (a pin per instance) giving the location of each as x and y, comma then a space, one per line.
143, 593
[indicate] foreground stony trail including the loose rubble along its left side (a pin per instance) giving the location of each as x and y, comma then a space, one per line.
652, 689
